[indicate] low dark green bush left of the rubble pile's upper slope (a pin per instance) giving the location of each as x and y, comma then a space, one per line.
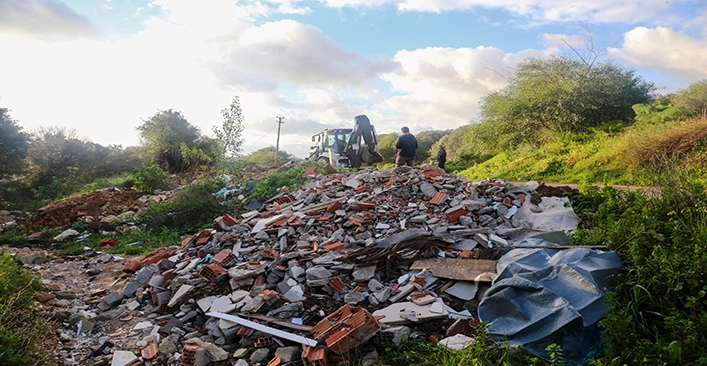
188, 211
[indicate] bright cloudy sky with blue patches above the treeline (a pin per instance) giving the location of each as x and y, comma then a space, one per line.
102, 67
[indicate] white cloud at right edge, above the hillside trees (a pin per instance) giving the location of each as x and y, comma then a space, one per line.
666, 50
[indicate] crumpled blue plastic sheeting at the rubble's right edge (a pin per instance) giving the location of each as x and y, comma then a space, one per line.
546, 296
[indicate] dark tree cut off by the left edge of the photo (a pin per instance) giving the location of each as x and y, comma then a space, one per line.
13, 145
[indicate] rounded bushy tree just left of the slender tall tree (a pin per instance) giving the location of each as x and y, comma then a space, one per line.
163, 135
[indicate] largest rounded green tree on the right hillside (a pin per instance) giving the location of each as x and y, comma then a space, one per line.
559, 95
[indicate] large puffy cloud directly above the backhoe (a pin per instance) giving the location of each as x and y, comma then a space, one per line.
290, 52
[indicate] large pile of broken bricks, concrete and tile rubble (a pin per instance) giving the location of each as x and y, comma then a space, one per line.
354, 260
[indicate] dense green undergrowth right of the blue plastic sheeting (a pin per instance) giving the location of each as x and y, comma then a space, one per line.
658, 311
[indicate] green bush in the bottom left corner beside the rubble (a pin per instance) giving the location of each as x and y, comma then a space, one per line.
21, 327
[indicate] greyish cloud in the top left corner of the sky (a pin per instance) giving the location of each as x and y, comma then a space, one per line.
49, 20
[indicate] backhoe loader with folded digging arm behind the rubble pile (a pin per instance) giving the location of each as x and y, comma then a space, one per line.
347, 147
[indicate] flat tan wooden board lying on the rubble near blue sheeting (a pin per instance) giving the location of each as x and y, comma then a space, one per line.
457, 268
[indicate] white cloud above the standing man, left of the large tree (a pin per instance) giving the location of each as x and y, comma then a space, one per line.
439, 88
